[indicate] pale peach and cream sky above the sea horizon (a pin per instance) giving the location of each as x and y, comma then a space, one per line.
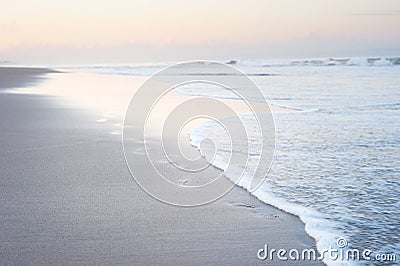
124, 31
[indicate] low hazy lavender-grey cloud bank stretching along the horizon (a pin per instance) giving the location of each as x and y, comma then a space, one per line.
310, 46
